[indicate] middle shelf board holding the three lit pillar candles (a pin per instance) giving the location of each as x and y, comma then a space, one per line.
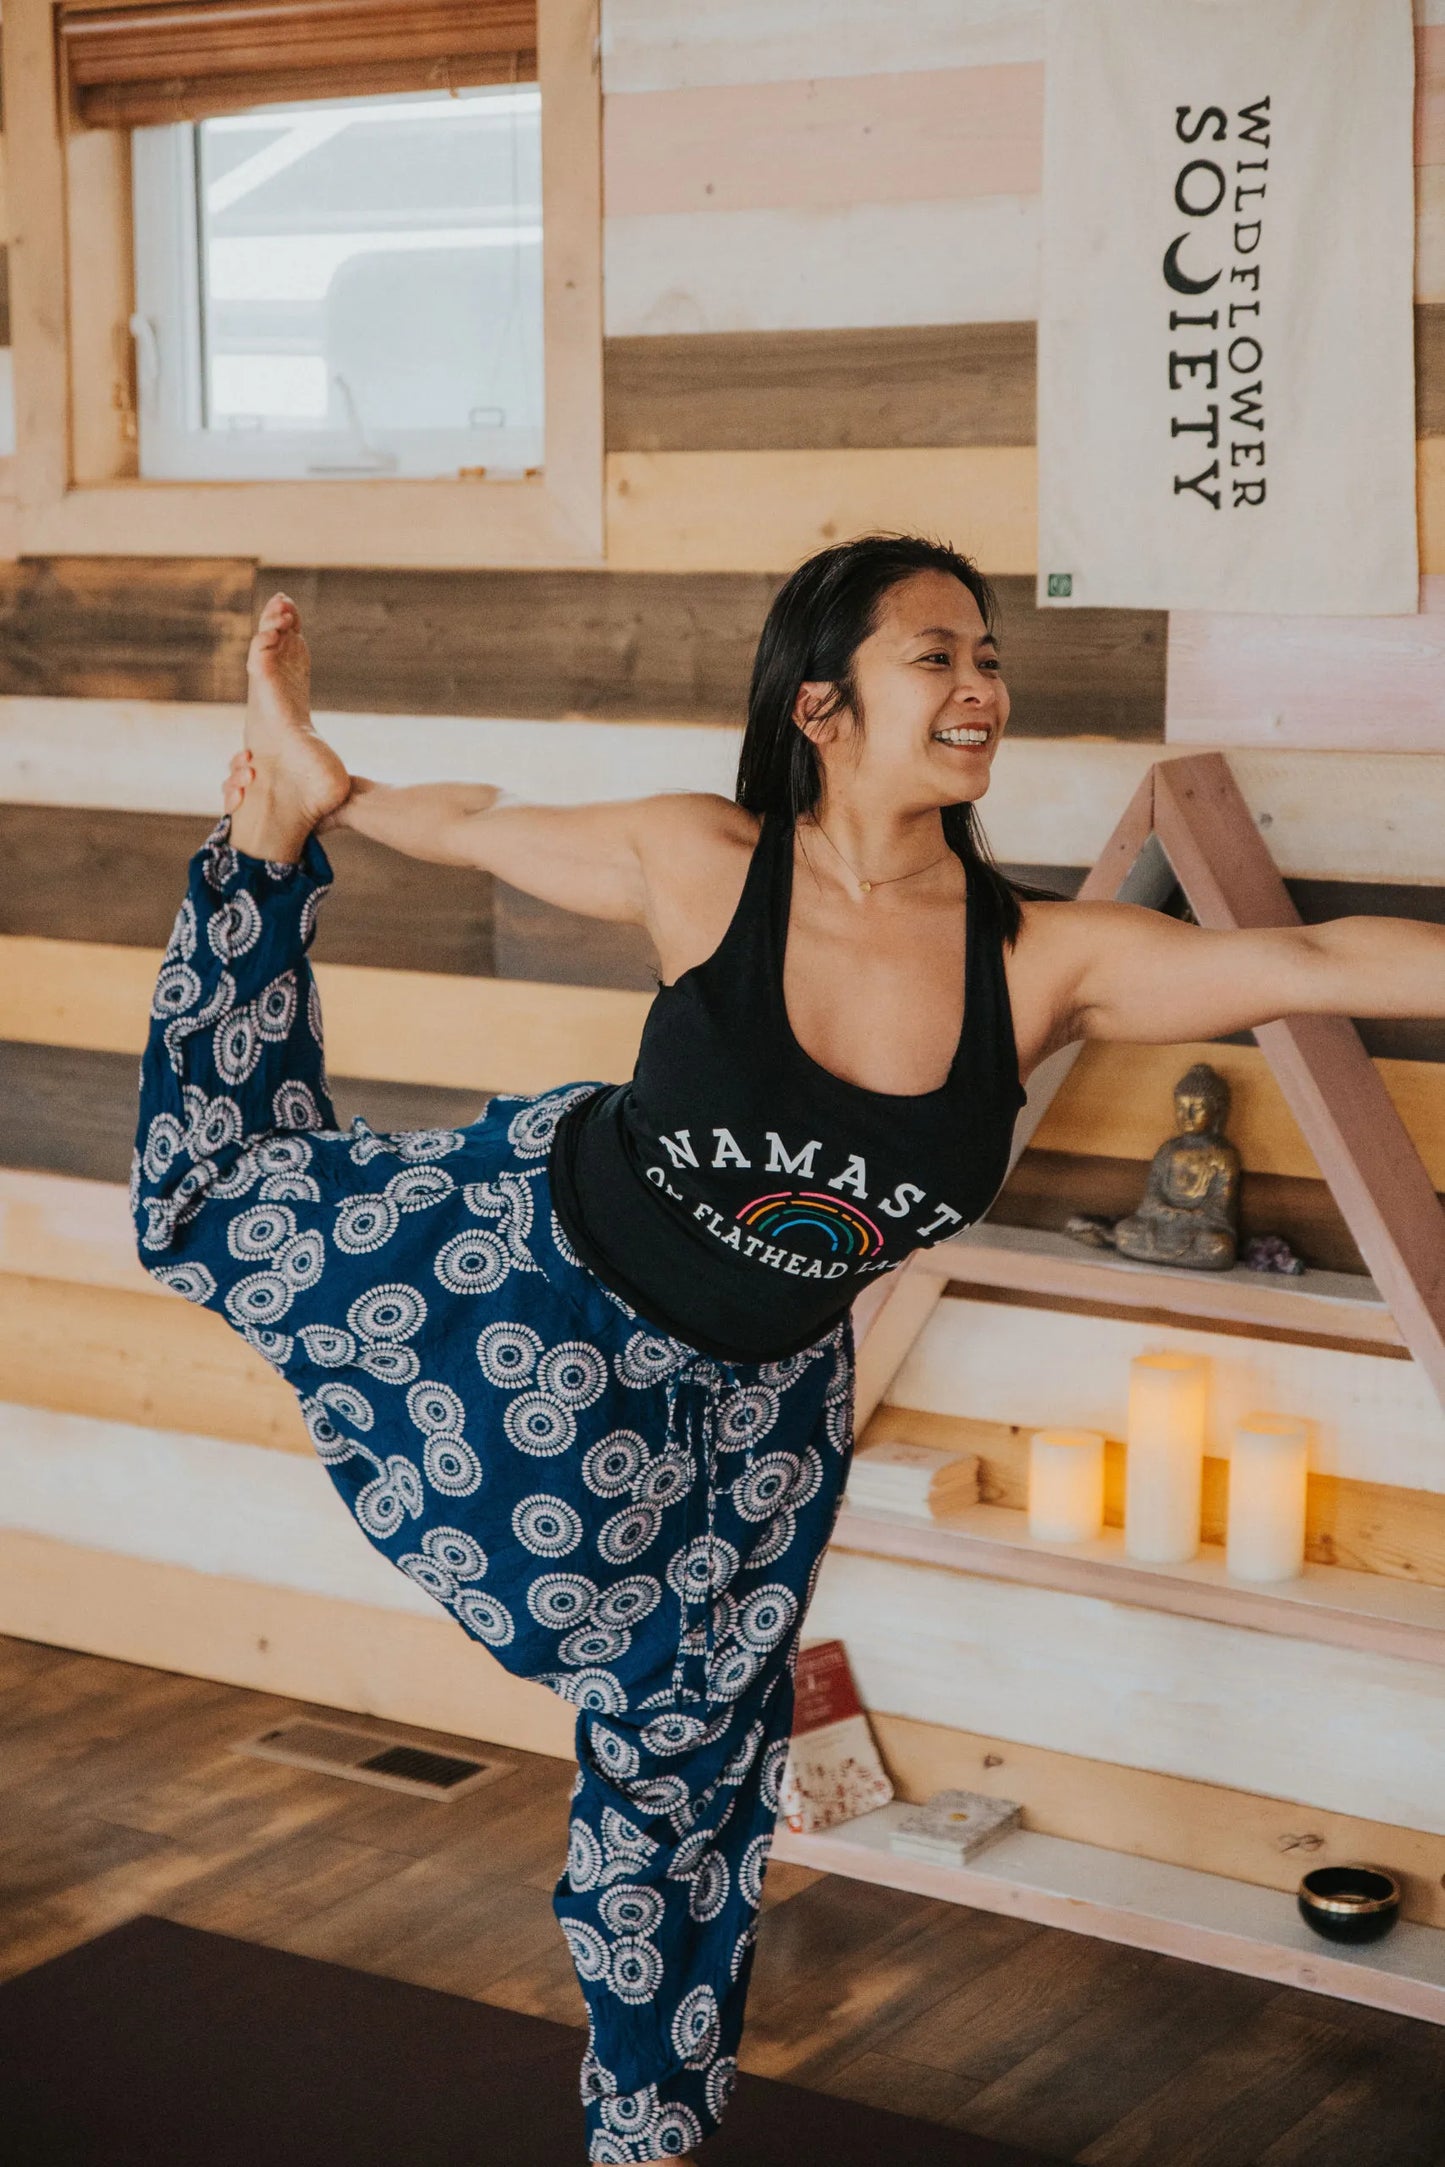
1362, 1611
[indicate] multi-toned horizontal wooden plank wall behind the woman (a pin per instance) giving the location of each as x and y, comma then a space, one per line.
822, 276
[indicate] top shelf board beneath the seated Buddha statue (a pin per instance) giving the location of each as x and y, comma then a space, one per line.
1030, 1260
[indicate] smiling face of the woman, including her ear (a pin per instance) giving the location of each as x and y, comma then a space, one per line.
930, 701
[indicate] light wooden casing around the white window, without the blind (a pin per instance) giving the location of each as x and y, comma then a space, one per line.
77, 486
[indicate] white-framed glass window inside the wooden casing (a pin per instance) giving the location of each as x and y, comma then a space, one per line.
348, 287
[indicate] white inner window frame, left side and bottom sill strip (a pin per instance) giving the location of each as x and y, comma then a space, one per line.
174, 445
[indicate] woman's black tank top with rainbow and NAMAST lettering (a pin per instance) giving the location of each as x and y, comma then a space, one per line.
738, 1193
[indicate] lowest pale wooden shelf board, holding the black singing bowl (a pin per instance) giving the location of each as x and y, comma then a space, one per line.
1175, 1910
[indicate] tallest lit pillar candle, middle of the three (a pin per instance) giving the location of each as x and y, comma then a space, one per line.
1167, 1457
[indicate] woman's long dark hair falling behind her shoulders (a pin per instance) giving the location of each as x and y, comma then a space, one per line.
820, 619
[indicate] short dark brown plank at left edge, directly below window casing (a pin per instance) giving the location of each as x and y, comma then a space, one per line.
127, 627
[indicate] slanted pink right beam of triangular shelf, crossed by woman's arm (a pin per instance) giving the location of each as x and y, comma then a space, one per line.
1331, 1087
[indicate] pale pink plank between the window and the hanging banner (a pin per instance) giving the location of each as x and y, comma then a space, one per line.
848, 140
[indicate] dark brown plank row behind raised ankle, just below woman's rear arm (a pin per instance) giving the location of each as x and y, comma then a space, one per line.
70, 874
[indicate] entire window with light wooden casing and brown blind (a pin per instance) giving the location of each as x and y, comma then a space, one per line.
309, 281
